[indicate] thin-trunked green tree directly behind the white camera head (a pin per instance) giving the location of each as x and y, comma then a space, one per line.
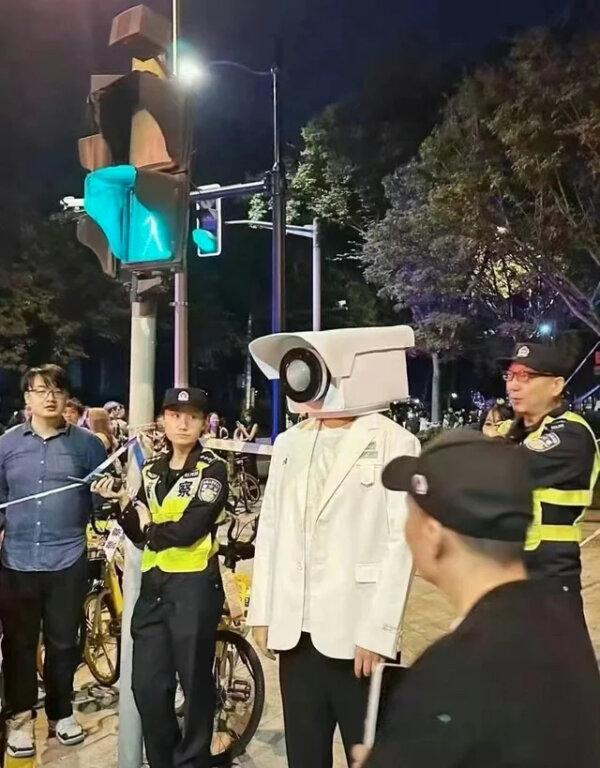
458, 298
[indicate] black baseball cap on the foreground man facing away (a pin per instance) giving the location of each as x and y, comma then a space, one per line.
477, 486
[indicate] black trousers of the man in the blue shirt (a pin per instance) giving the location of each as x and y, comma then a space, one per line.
30, 600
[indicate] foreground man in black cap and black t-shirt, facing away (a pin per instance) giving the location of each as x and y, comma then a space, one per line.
516, 684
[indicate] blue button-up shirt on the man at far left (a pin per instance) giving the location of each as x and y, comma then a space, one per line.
46, 534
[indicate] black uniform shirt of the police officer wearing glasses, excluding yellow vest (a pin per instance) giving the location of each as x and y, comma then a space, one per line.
563, 458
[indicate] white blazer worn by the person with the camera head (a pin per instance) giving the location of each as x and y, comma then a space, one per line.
360, 564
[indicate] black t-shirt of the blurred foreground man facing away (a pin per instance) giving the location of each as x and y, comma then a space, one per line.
516, 685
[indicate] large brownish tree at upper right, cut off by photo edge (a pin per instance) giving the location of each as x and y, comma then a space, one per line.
514, 163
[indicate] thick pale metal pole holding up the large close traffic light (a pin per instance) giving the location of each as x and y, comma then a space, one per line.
141, 411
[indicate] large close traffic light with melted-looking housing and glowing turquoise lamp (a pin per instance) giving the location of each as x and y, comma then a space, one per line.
136, 196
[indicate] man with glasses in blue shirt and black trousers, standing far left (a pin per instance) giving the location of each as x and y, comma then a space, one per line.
43, 579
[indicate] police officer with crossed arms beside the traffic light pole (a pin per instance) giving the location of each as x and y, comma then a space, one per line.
175, 619
